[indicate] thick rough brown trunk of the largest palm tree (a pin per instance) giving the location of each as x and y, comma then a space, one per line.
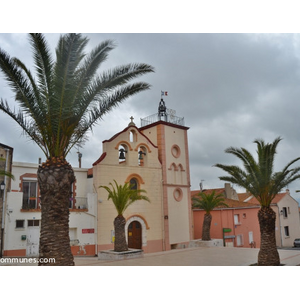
55, 182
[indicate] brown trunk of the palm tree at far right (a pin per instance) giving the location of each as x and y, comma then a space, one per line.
268, 254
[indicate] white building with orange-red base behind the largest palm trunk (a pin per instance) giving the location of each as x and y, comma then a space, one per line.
23, 214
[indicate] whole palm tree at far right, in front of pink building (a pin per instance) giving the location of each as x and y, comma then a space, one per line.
259, 178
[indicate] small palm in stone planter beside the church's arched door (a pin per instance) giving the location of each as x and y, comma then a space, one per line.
122, 196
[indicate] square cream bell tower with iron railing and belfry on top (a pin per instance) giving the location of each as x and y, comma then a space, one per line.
169, 133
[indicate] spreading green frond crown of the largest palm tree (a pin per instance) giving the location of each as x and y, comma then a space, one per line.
68, 97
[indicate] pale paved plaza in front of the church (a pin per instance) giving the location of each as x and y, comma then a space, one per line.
200, 256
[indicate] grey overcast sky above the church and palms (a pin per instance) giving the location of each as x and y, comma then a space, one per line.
231, 89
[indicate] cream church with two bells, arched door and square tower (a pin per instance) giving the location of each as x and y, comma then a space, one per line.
155, 158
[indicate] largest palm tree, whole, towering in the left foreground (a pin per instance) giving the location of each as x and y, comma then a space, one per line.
57, 109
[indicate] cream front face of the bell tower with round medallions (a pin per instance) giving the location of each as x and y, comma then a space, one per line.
177, 182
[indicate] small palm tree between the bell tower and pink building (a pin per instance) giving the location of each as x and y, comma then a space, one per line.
208, 202
